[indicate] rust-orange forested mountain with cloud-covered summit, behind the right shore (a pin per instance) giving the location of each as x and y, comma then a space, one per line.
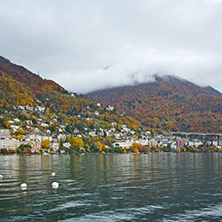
170, 103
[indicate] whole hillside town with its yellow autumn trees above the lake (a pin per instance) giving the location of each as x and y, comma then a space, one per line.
33, 130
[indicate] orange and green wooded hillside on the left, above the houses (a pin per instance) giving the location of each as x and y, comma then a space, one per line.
19, 86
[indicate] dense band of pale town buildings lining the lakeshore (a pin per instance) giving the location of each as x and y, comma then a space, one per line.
123, 140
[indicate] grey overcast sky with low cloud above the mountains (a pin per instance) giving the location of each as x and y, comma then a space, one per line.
86, 45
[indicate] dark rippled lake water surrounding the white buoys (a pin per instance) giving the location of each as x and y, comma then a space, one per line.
112, 187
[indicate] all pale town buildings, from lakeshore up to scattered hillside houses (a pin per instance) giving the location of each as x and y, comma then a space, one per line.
124, 137
